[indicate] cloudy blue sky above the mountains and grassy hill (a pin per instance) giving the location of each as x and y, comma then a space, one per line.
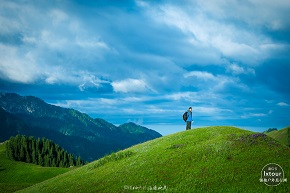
148, 61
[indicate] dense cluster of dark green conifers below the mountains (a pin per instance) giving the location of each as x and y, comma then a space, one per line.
40, 151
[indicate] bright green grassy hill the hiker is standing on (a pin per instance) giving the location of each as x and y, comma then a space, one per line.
219, 159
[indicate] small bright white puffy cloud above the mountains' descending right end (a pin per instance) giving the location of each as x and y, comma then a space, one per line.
130, 85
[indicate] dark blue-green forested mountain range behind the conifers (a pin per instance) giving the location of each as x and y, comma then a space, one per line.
76, 132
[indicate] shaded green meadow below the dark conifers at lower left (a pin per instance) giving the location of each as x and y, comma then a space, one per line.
18, 175
